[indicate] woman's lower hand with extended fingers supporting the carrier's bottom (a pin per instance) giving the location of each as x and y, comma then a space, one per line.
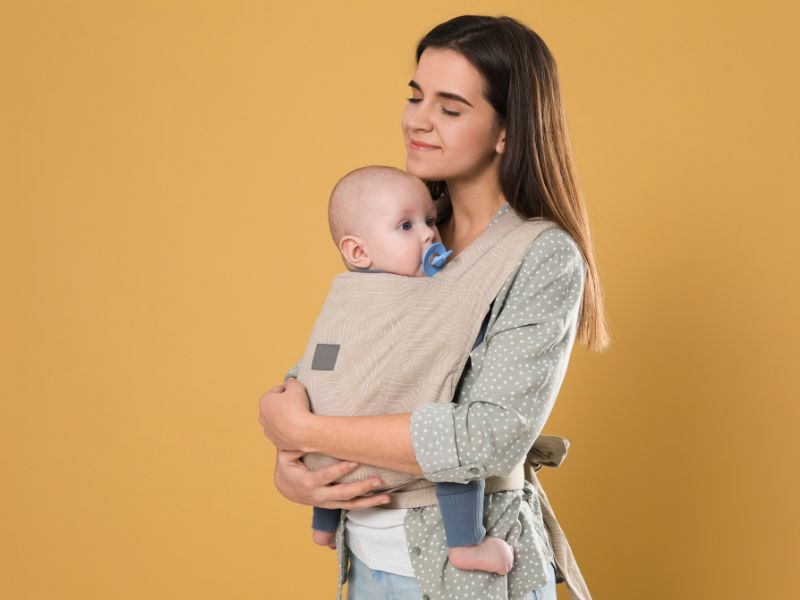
300, 484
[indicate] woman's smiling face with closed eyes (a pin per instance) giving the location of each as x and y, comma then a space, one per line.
451, 131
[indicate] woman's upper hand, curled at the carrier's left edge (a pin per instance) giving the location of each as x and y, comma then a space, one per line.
285, 414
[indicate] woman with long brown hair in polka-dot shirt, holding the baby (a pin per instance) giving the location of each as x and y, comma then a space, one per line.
484, 127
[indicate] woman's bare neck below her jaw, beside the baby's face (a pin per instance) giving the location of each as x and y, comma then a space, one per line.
473, 203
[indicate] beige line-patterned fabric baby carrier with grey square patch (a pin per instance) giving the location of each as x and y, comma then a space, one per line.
386, 343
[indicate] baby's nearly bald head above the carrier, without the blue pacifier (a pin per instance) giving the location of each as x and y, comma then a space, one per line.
382, 218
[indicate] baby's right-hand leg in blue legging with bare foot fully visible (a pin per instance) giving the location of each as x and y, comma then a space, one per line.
469, 548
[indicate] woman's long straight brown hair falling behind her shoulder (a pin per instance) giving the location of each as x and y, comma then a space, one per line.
537, 172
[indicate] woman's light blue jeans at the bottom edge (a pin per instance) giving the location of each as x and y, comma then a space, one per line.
364, 583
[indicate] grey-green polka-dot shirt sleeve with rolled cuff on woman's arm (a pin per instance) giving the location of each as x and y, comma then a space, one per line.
507, 399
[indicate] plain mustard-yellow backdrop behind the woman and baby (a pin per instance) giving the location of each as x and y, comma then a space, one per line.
165, 173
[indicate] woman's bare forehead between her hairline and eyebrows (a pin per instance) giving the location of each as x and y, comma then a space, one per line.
448, 71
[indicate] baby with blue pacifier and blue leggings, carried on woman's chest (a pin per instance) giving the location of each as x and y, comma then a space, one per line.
383, 219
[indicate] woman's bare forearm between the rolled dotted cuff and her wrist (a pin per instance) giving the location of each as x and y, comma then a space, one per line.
380, 440
